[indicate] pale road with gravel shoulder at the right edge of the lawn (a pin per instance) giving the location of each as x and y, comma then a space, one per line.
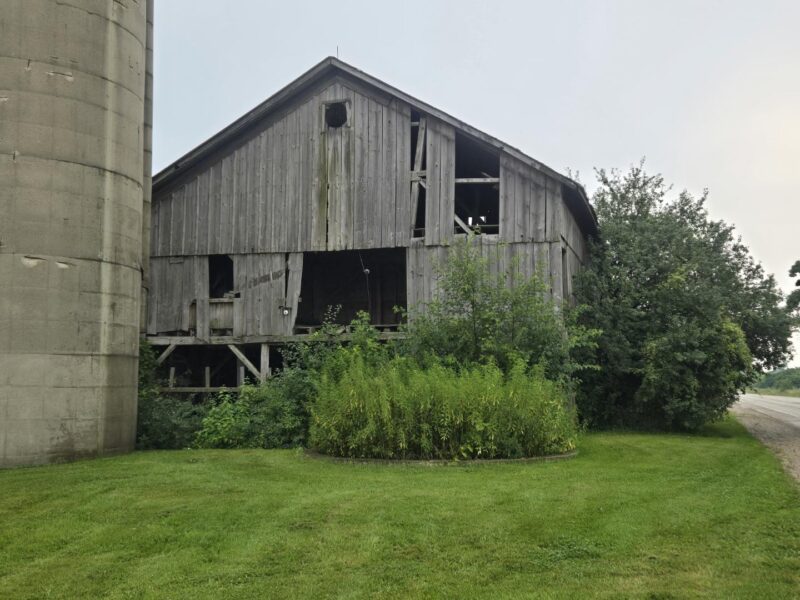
775, 420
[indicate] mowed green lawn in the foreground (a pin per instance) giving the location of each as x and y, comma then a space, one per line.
633, 516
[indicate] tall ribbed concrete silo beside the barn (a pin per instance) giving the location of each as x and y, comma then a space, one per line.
72, 106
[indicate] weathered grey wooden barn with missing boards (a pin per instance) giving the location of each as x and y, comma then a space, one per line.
337, 190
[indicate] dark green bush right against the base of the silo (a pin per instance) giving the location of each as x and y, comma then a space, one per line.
164, 421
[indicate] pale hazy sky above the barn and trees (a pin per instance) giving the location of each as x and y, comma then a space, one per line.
707, 92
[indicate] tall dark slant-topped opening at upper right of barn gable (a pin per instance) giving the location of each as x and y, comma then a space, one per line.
477, 195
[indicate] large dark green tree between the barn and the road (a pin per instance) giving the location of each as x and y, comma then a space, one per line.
688, 317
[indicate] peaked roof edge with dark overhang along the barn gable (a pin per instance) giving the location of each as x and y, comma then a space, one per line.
575, 196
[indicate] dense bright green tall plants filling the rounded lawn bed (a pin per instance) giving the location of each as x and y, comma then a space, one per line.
396, 409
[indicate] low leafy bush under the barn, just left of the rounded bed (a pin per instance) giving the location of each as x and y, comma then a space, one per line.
273, 414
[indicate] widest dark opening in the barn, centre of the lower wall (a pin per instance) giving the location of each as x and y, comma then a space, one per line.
352, 280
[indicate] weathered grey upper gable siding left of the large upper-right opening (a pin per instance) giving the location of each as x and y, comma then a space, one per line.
300, 185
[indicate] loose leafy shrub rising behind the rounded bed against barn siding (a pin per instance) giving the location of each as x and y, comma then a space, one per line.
503, 317
